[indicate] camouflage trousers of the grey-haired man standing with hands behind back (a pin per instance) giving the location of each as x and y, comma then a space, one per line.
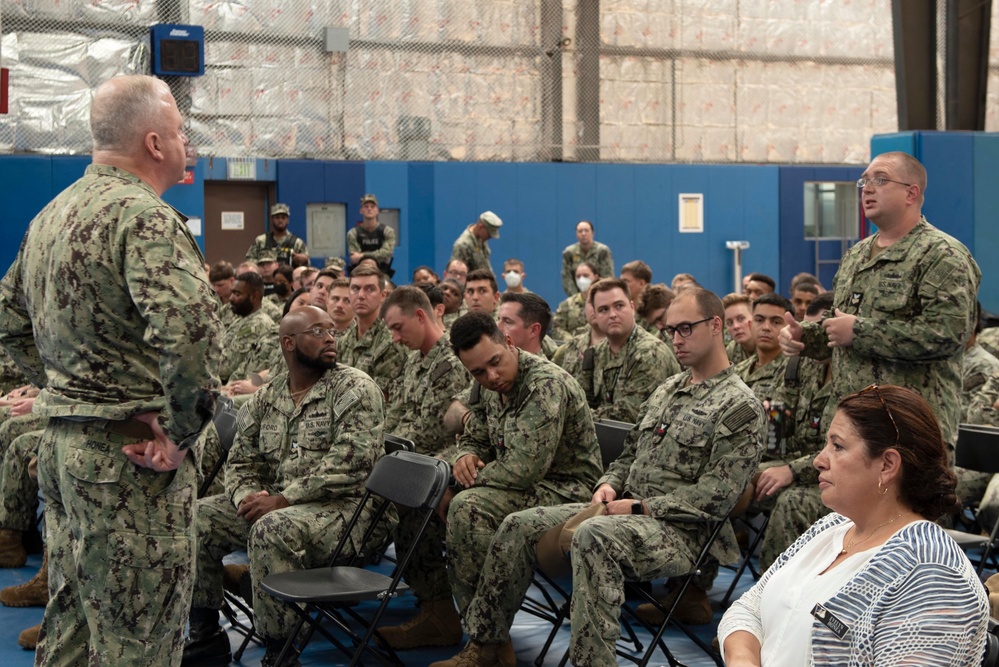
121, 551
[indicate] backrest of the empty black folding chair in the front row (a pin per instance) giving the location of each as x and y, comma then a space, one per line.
410, 479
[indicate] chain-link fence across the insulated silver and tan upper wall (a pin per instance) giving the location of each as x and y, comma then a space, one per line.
784, 81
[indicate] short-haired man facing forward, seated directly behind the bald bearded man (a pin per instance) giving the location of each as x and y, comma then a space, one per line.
367, 344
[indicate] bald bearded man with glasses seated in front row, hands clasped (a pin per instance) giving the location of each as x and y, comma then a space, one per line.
304, 447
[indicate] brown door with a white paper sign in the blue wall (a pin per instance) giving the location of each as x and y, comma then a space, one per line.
222, 197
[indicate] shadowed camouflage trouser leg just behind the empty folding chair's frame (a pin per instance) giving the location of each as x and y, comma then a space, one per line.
426, 573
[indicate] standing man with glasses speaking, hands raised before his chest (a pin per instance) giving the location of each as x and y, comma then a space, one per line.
904, 300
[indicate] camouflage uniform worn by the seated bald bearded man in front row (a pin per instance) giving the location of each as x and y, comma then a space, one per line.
317, 455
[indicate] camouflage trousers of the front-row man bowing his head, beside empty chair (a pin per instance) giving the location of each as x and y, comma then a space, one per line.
473, 518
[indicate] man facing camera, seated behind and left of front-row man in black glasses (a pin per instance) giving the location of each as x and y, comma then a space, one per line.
627, 366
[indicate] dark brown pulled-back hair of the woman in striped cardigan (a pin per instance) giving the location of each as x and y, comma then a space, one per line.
926, 483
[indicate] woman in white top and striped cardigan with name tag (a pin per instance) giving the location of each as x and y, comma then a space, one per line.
875, 583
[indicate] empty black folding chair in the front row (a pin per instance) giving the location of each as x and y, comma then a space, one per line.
404, 478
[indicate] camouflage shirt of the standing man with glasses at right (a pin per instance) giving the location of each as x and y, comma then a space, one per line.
915, 308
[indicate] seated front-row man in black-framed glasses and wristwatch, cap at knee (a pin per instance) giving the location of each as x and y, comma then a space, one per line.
684, 465
